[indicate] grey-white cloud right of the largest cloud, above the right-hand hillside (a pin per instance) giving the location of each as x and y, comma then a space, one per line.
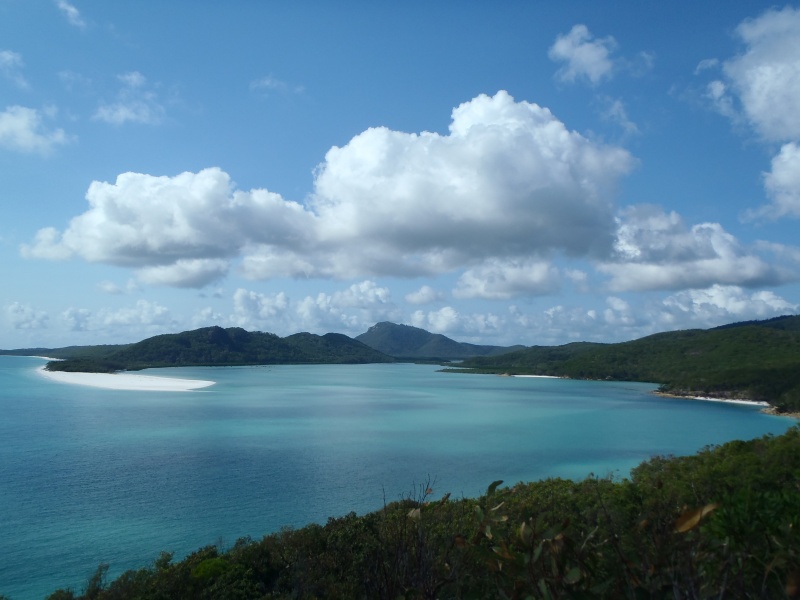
657, 251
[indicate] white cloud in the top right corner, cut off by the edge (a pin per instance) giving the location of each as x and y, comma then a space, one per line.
764, 80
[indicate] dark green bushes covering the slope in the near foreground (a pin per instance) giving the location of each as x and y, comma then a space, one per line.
720, 524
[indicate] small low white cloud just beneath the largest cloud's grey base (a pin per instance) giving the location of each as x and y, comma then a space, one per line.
503, 279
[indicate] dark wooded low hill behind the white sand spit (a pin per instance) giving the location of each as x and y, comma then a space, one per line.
215, 346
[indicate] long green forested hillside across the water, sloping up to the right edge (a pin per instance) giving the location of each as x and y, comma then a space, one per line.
758, 360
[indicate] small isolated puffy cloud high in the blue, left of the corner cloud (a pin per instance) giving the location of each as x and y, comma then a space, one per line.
585, 56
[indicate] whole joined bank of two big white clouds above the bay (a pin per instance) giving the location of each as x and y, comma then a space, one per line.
509, 181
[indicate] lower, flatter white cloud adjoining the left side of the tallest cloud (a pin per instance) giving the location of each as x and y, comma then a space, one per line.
178, 230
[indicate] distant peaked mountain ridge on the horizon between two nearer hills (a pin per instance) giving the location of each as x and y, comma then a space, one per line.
405, 341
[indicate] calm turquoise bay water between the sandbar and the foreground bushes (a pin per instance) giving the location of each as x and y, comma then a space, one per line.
90, 476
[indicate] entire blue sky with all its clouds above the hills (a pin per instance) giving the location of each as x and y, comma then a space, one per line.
528, 173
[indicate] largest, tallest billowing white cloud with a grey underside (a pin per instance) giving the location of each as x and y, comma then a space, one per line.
509, 180
